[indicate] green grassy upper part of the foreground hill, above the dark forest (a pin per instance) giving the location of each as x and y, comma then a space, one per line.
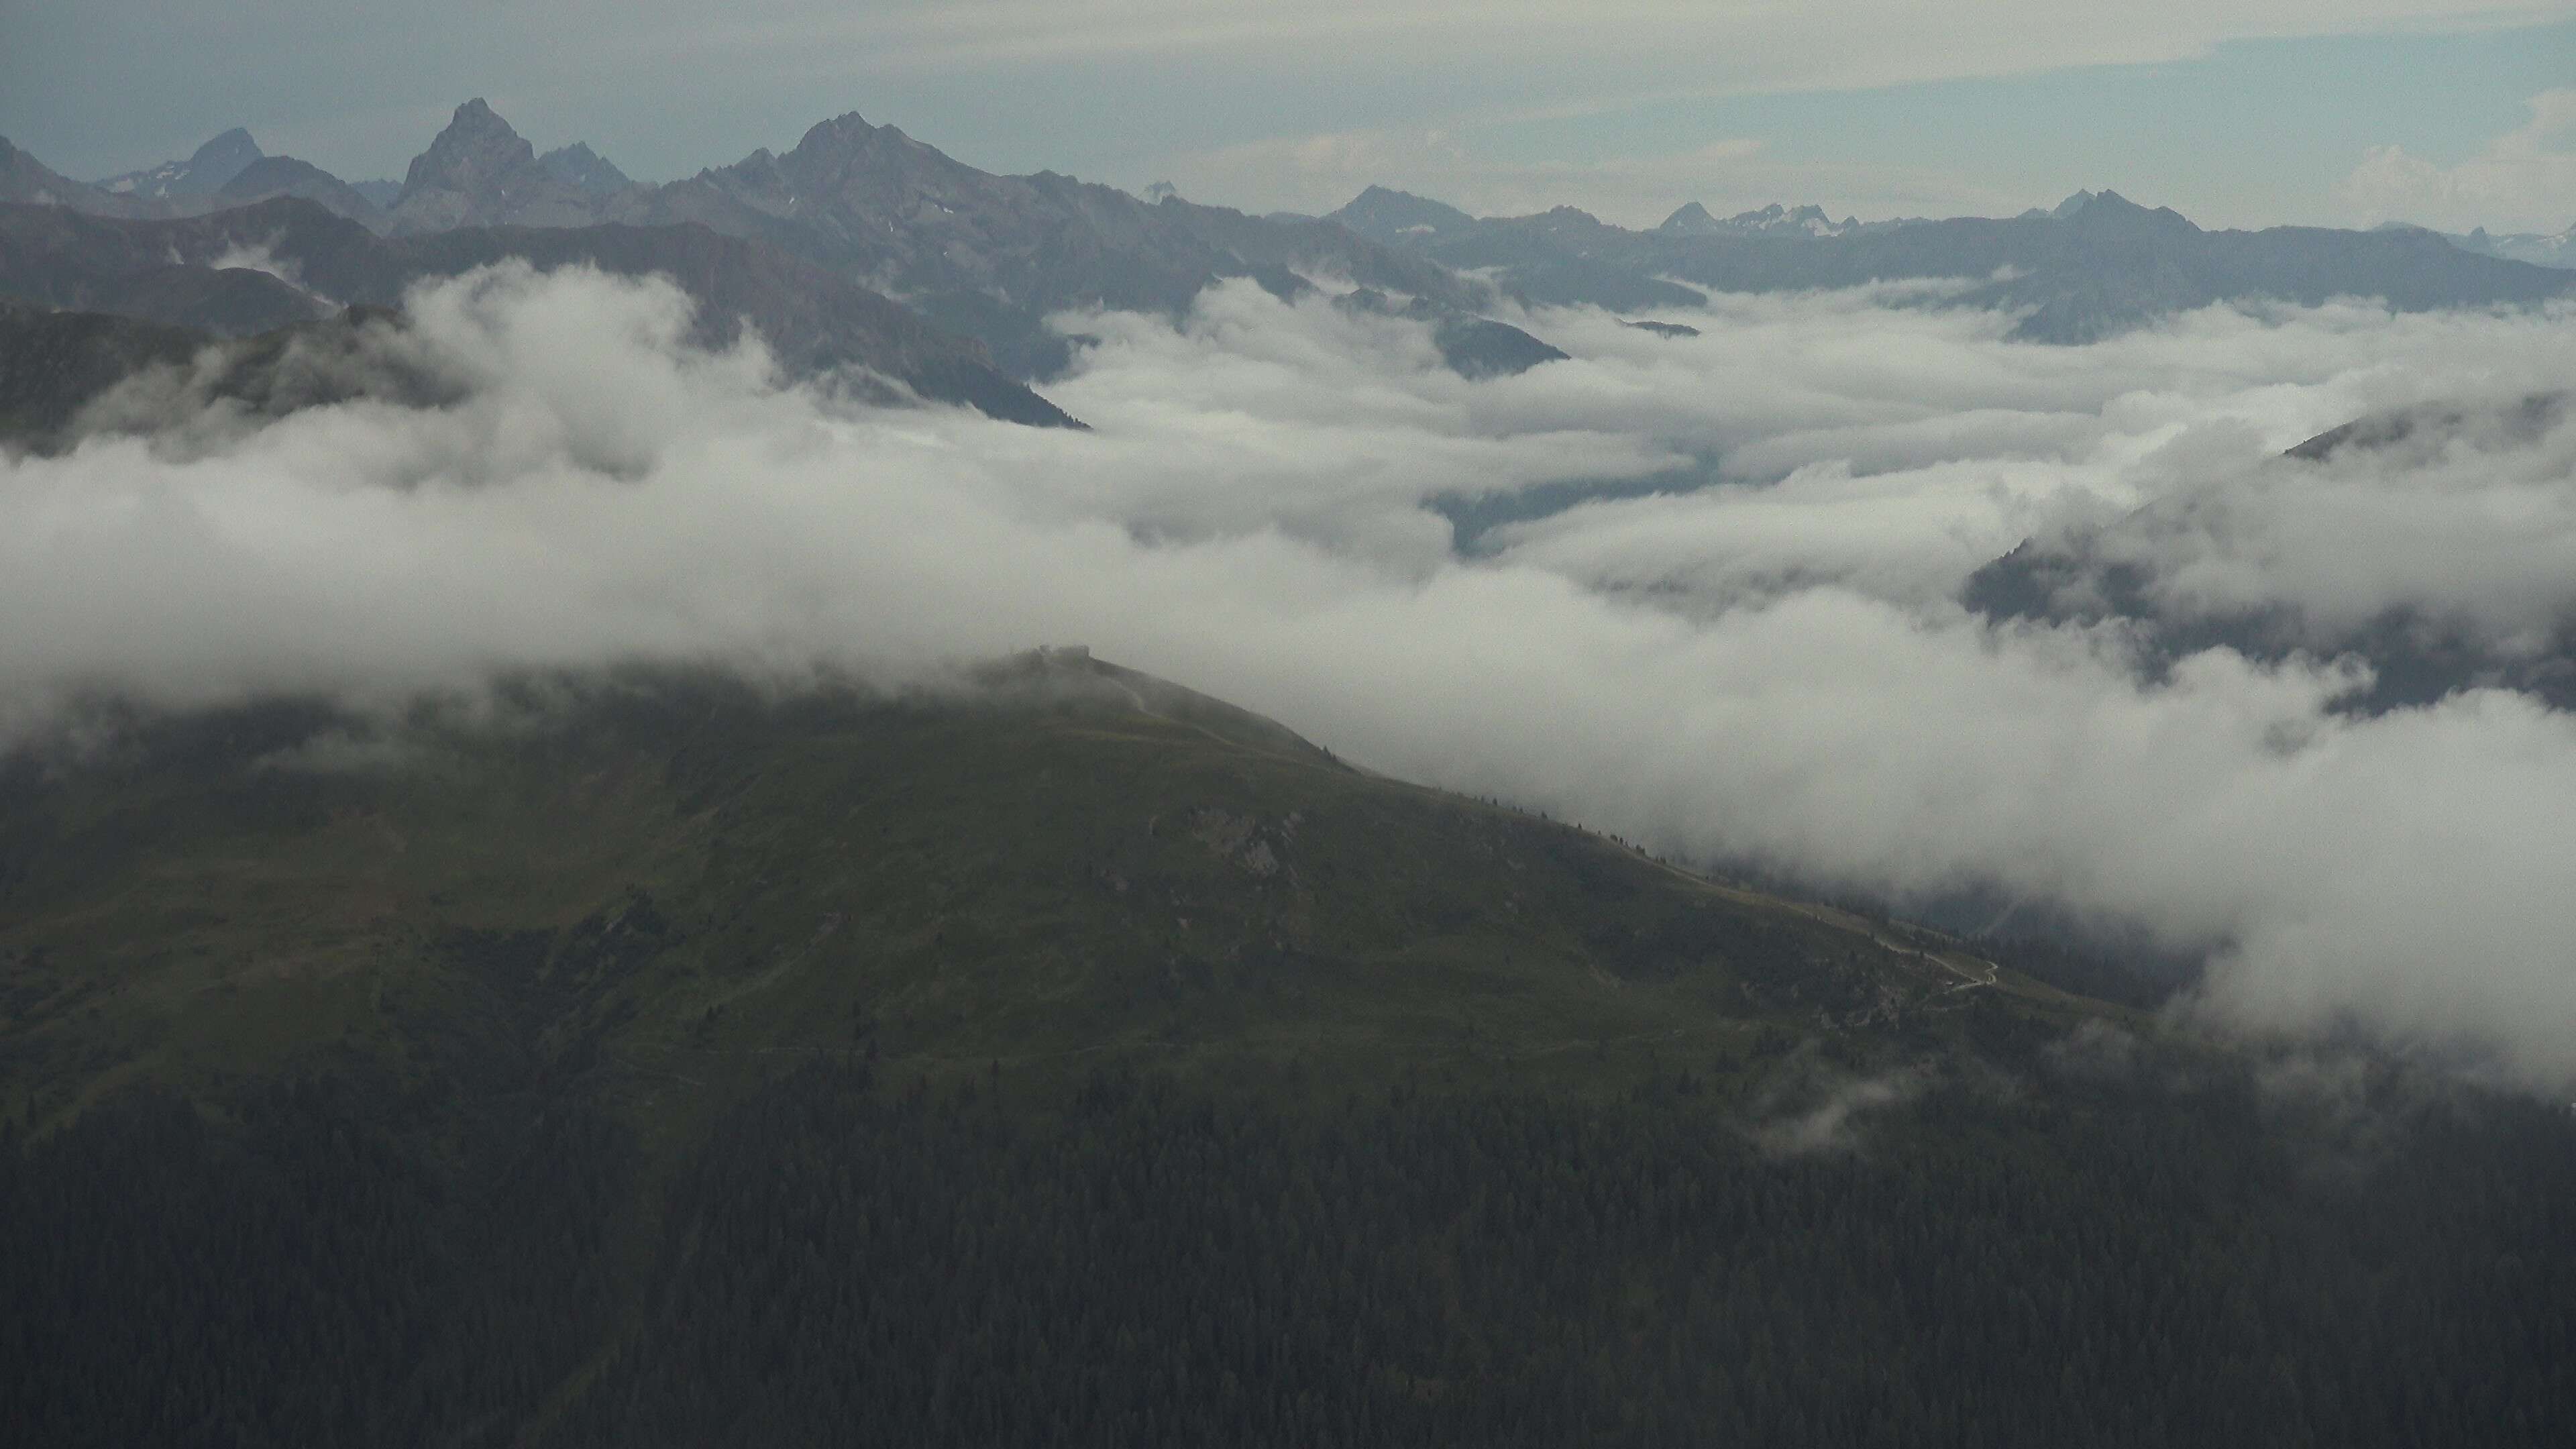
663, 888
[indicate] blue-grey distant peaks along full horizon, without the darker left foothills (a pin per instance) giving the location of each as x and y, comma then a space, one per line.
1003, 257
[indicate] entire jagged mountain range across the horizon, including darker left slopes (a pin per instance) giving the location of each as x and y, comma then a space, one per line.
820, 244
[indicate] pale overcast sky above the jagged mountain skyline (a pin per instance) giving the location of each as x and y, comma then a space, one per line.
2237, 112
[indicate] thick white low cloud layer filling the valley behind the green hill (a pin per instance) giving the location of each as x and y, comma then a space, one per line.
1763, 661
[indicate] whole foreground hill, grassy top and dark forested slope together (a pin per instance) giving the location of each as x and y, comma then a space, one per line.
1060, 1056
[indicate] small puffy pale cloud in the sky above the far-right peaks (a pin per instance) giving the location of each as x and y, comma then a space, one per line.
2521, 182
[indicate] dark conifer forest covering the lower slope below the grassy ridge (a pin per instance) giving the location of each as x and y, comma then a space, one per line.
849, 1262
